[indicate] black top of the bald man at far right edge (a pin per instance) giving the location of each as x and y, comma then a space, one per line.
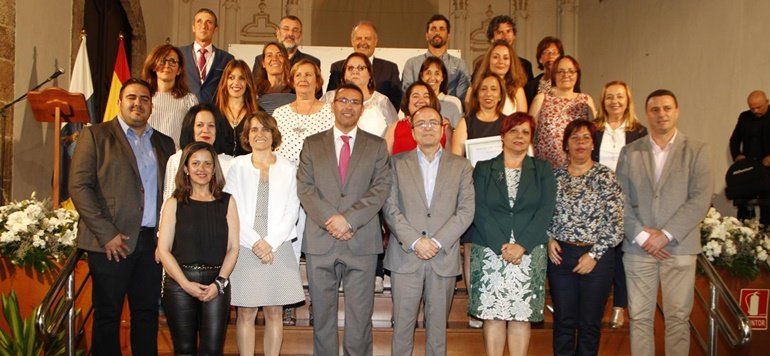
751, 136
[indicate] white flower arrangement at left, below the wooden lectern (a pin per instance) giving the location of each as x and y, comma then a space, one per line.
31, 234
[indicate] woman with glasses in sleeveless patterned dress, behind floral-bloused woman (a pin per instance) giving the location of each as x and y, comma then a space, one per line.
555, 109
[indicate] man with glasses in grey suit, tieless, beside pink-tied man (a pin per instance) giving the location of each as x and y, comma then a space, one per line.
431, 204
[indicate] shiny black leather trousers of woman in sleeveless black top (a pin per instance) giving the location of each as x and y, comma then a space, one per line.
191, 320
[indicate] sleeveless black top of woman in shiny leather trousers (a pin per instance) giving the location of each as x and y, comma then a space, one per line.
201, 231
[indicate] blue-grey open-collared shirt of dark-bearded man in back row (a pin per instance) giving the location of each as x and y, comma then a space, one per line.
458, 82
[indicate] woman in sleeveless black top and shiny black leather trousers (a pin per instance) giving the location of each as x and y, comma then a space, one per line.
198, 246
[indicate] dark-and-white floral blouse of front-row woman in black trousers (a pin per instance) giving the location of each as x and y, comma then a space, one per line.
589, 209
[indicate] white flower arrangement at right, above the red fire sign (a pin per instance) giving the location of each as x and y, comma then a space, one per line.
740, 247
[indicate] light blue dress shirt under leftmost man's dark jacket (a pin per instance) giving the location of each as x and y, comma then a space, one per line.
148, 169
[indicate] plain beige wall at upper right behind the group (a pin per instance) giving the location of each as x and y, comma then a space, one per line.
710, 53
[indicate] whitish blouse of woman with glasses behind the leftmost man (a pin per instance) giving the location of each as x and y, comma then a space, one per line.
168, 113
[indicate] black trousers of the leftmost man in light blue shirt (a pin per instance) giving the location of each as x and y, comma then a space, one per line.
138, 277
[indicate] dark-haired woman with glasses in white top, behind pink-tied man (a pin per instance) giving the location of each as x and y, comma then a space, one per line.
378, 112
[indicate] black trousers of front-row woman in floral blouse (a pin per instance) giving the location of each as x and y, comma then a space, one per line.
578, 301
